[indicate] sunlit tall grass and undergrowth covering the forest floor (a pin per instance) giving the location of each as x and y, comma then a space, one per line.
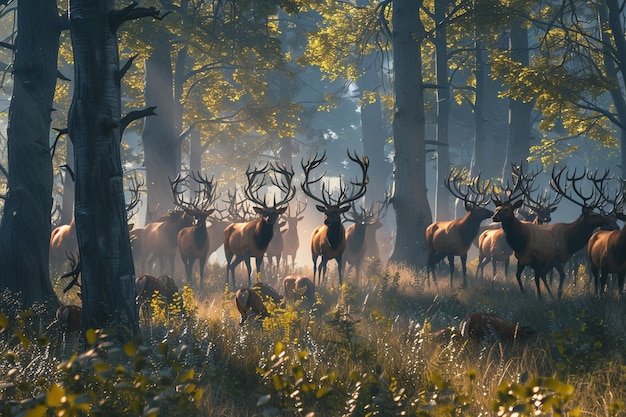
359, 350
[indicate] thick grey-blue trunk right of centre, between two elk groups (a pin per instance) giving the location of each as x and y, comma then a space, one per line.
410, 202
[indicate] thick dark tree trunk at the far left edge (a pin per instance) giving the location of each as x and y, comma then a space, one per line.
25, 227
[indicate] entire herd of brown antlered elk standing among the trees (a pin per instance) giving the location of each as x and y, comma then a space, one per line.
261, 220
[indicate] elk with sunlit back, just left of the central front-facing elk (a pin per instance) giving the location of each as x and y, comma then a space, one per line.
250, 239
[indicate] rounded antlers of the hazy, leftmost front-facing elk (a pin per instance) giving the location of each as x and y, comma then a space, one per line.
203, 198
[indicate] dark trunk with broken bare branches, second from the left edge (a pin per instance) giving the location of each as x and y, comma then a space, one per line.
108, 277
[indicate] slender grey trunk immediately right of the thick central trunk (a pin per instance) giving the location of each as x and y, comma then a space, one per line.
442, 195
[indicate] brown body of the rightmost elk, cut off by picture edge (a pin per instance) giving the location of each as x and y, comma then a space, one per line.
607, 254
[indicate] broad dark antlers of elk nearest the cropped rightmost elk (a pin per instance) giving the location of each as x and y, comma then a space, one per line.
589, 201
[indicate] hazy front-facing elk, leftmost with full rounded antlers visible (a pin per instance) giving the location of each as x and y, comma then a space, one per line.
193, 241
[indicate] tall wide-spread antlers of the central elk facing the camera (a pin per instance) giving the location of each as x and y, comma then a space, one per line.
357, 187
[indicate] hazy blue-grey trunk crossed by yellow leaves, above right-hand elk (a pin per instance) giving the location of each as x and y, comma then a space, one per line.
518, 143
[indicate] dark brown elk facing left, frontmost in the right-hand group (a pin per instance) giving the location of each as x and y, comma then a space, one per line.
532, 244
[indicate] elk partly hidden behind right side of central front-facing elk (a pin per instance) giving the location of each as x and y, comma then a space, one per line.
356, 243
